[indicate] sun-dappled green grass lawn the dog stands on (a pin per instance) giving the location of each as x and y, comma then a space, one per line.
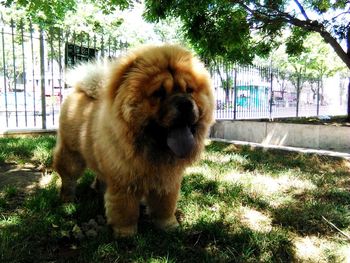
237, 204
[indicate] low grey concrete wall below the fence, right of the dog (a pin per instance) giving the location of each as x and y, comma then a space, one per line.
285, 134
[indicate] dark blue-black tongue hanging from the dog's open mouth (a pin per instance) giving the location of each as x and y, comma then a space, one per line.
181, 141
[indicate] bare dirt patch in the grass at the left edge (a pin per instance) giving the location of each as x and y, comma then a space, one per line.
24, 177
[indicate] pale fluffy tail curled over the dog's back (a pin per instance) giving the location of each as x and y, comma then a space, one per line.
88, 78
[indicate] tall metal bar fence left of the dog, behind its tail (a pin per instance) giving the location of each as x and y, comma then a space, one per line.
32, 70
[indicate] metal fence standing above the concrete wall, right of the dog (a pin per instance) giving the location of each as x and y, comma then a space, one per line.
251, 92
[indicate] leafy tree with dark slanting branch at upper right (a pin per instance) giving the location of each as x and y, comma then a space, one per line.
240, 29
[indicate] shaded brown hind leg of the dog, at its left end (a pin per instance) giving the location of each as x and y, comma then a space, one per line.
70, 166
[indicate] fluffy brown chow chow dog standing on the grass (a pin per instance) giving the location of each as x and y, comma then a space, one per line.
138, 122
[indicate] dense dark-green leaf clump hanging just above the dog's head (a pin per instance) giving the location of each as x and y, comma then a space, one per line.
214, 28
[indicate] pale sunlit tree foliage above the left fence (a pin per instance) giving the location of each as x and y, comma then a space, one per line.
116, 19
